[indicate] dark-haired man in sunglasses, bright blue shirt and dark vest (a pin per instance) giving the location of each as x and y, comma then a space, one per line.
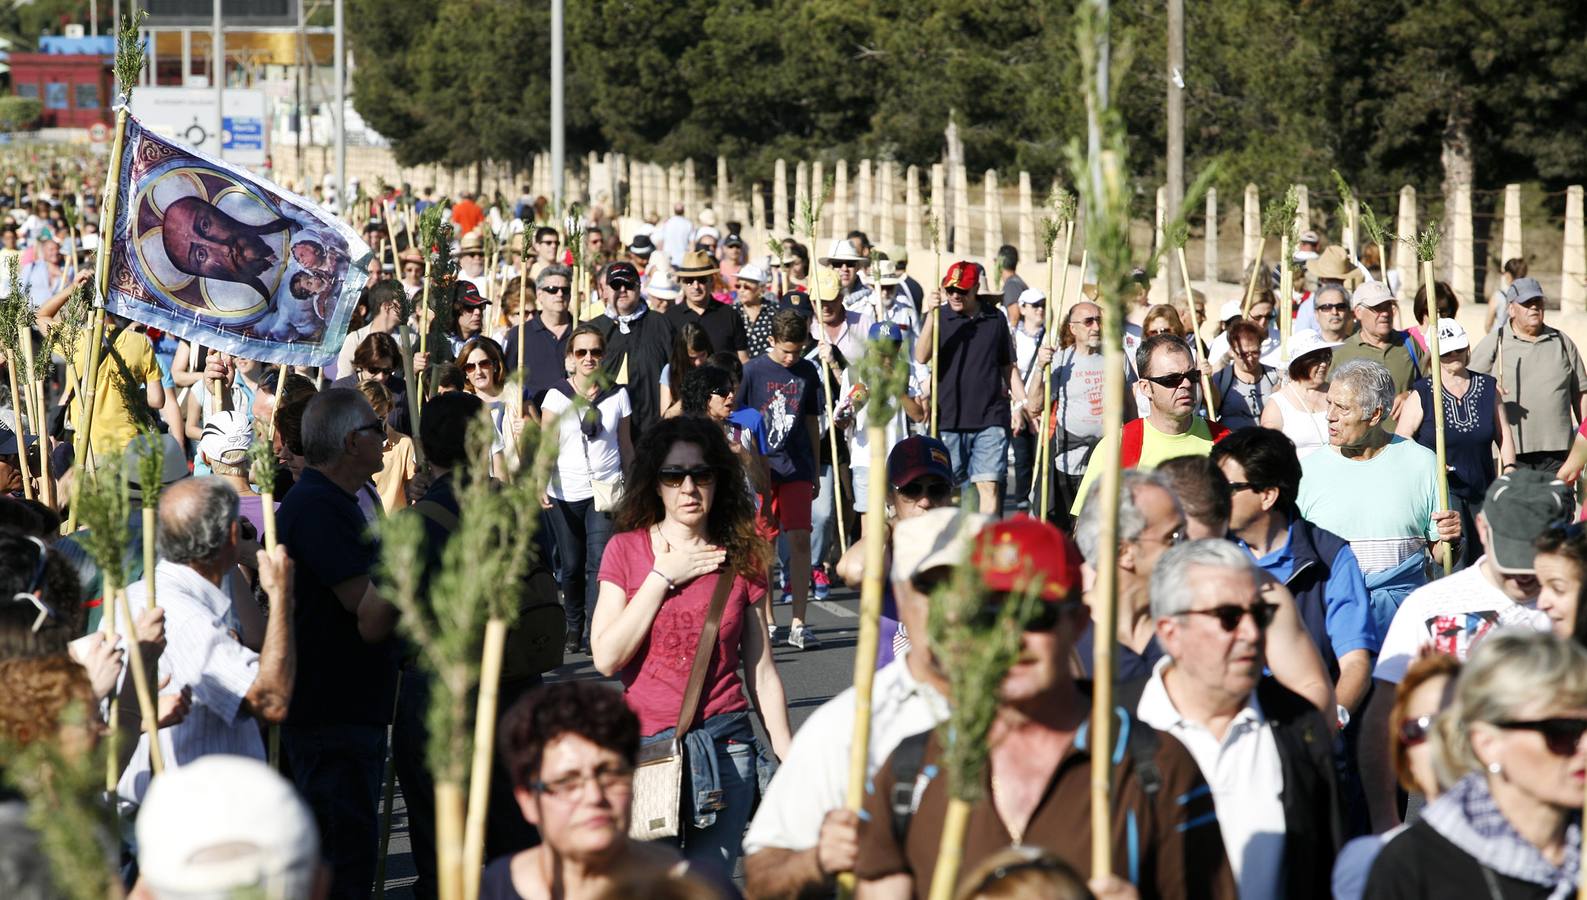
1318, 566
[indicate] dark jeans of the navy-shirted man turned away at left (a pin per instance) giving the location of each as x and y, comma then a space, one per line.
339, 774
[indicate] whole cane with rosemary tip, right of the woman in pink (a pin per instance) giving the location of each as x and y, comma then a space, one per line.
885, 375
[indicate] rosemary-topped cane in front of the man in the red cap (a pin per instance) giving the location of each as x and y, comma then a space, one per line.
975, 656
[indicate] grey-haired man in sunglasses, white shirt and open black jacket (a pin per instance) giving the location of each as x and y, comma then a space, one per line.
1262, 748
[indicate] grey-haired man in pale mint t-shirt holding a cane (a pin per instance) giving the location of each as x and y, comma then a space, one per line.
1375, 490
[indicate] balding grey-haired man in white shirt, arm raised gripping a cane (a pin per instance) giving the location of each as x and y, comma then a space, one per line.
207, 602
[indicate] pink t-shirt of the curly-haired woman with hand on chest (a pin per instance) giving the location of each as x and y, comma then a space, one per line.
656, 679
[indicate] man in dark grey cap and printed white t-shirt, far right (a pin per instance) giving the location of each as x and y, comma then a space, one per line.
1453, 615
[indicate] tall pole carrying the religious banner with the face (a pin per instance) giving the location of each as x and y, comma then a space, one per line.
129, 67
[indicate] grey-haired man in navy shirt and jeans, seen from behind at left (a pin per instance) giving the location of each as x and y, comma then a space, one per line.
336, 733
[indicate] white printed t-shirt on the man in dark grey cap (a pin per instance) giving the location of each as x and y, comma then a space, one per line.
1453, 615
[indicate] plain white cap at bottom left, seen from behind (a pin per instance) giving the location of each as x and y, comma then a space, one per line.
226, 825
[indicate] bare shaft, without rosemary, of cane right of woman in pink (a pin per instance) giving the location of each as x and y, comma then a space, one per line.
870, 625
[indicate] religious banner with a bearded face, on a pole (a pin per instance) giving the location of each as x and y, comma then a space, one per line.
220, 258
